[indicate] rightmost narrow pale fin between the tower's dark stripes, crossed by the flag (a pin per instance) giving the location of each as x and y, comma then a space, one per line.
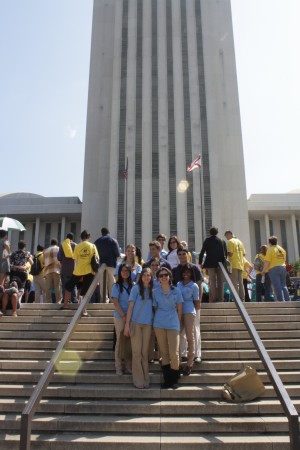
195, 119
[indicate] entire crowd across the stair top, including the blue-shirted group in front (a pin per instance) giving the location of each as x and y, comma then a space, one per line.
156, 301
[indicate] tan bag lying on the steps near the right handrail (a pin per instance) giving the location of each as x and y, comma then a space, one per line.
244, 386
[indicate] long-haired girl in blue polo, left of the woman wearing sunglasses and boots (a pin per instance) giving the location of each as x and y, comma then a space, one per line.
138, 326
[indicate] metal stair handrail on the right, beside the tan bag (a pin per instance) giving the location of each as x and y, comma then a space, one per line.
278, 386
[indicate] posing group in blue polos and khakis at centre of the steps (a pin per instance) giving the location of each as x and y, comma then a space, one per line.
153, 303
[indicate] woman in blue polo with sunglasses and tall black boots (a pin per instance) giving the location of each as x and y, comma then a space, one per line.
167, 302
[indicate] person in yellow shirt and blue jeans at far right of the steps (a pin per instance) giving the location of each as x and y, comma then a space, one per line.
275, 263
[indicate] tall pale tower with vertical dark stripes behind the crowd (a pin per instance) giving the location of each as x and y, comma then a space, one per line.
163, 90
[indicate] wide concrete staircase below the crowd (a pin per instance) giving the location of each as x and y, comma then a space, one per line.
87, 406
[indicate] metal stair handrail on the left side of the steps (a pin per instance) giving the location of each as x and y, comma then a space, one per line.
39, 390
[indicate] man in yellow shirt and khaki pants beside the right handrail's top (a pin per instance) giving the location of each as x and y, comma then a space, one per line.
236, 252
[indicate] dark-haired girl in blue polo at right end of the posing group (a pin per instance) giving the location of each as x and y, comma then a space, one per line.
190, 294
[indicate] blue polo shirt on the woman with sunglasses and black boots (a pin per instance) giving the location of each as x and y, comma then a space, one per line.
166, 316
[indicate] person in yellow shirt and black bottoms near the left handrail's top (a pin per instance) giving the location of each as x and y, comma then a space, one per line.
83, 272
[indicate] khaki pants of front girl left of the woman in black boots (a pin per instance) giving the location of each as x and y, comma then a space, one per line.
140, 347
